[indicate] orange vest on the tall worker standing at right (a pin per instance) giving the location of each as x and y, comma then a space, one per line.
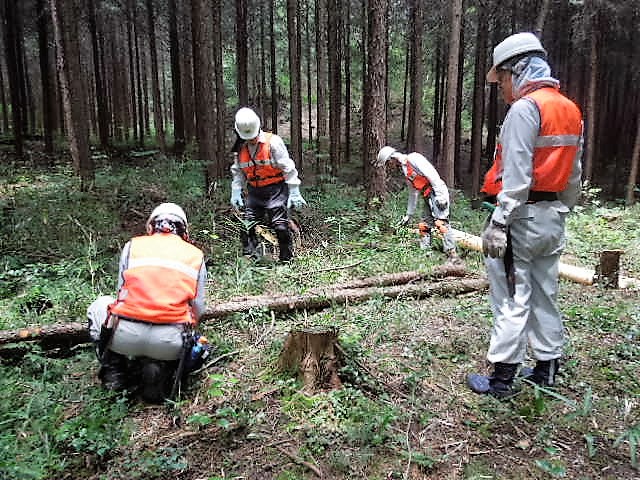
555, 148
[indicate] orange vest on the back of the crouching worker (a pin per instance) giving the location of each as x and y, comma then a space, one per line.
160, 280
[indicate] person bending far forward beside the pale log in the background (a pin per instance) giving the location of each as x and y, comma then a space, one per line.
423, 180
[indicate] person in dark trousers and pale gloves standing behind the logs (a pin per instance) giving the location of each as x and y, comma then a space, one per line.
264, 167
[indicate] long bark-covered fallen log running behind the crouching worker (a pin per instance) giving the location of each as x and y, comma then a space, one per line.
69, 334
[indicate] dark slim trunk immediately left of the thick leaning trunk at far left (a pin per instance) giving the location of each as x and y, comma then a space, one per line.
45, 76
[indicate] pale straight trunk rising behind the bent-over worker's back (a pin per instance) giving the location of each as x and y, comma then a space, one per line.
449, 157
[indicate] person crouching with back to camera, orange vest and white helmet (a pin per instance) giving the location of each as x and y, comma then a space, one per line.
141, 334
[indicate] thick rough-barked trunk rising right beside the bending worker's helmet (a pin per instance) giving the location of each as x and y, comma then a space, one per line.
373, 125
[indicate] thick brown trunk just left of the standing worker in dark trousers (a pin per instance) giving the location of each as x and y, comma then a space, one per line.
204, 78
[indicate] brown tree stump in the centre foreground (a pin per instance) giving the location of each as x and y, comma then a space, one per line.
313, 355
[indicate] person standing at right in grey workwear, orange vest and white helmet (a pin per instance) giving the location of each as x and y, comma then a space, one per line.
535, 179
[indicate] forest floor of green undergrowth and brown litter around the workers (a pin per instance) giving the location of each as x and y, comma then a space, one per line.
404, 410
